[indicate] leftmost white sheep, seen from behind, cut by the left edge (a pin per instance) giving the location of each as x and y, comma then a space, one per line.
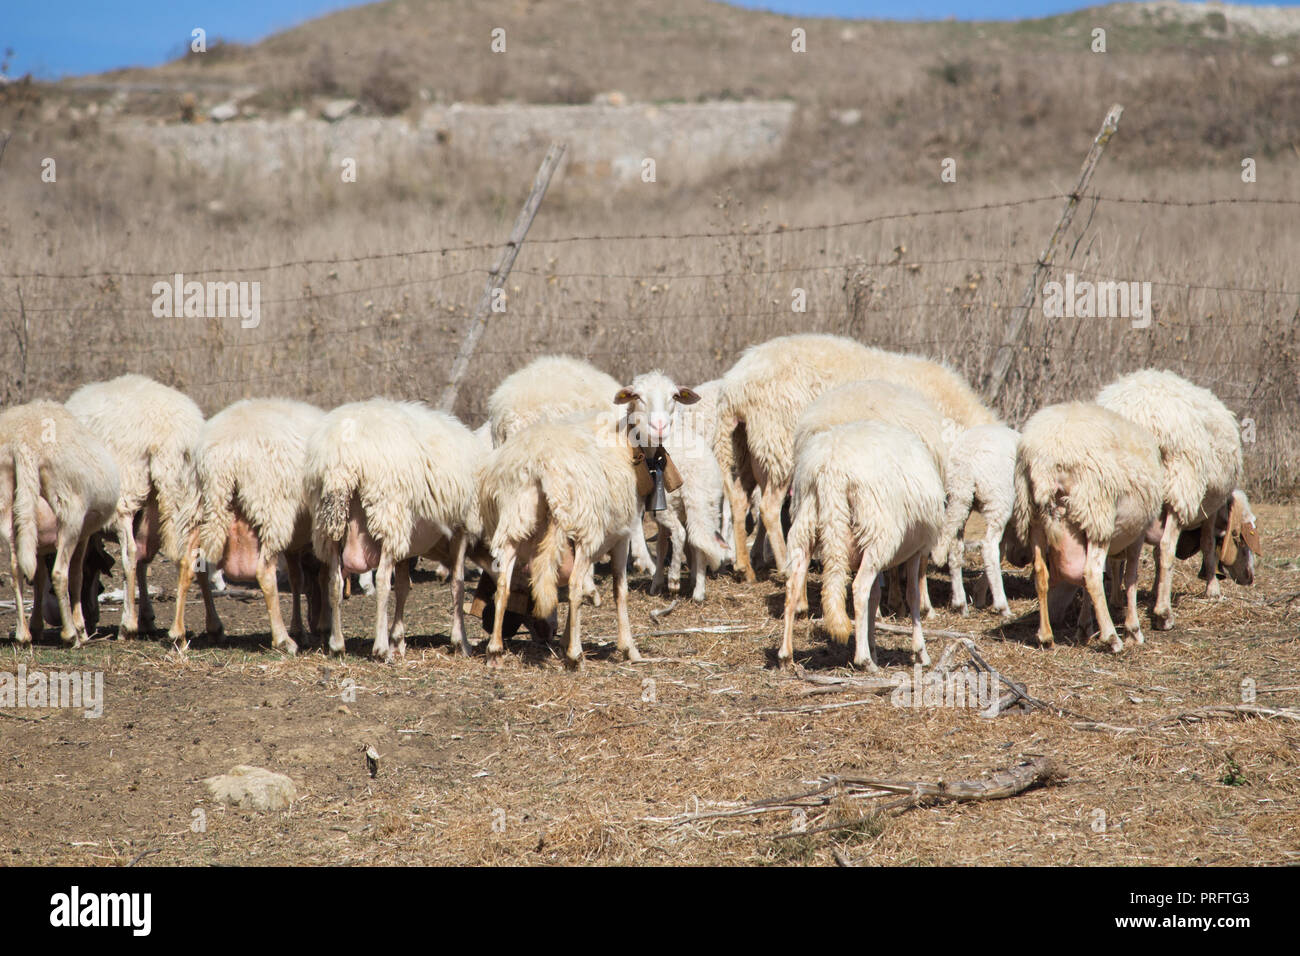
58, 487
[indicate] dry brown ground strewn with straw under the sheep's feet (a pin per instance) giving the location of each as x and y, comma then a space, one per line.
534, 764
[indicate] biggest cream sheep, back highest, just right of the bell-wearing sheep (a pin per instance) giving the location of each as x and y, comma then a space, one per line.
769, 388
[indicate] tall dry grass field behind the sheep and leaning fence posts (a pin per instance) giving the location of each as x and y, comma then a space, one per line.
939, 285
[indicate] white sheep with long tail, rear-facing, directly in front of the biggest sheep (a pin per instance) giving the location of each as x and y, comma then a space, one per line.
869, 495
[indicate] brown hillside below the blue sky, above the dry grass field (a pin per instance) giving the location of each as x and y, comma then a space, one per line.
1202, 84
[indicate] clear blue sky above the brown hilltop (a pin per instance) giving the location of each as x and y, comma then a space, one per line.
54, 38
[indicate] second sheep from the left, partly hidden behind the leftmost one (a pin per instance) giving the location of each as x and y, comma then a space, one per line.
151, 431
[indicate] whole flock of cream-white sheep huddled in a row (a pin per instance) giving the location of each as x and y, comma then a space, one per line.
866, 461
